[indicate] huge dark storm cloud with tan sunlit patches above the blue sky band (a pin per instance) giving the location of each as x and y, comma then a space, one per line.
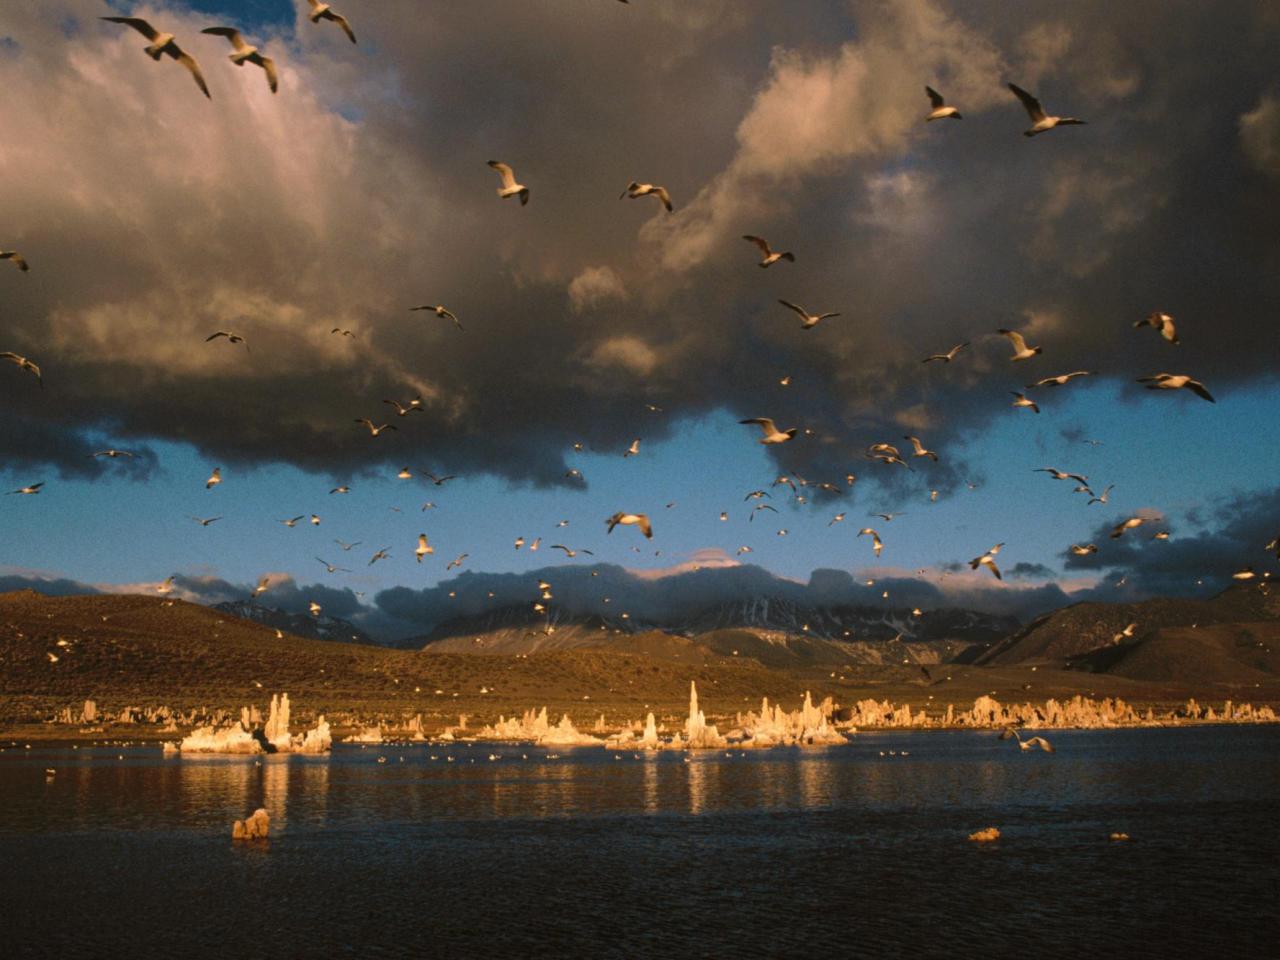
280, 218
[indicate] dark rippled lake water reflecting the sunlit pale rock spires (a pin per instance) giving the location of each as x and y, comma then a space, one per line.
792, 853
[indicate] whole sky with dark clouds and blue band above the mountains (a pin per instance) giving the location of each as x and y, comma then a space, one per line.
153, 217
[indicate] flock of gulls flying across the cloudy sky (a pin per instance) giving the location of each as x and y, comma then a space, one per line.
163, 44
